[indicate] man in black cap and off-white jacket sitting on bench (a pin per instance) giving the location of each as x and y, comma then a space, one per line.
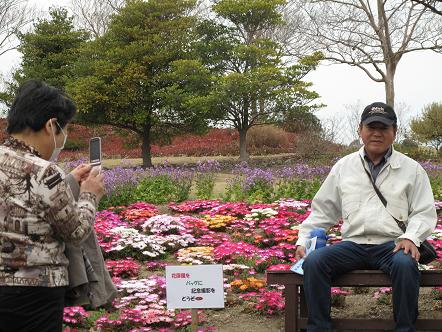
372, 238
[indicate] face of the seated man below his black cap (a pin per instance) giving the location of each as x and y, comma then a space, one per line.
377, 137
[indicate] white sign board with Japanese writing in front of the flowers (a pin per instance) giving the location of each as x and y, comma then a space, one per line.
198, 286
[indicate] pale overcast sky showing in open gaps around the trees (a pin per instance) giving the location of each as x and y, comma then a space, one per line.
418, 81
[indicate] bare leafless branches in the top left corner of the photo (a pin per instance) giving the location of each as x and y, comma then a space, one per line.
14, 16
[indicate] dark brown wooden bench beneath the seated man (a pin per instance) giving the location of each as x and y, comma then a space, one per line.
296, 311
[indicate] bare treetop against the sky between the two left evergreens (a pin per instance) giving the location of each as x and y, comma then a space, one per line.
94, 15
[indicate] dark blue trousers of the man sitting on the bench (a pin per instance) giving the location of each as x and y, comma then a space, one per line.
323, 265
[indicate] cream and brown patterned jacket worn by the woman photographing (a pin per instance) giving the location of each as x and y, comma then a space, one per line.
38, 214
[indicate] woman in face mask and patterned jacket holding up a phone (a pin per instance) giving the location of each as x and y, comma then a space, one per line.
38, 213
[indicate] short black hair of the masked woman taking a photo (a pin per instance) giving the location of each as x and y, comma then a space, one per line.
35, 103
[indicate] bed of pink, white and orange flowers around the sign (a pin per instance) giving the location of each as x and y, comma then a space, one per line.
247, 239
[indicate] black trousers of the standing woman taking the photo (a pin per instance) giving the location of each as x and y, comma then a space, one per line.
33, 309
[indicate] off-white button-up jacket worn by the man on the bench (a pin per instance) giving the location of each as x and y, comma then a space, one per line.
348, 193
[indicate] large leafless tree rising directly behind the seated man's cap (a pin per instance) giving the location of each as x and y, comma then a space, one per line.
372, 35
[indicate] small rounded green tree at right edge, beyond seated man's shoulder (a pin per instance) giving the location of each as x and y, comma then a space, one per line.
428, 128
